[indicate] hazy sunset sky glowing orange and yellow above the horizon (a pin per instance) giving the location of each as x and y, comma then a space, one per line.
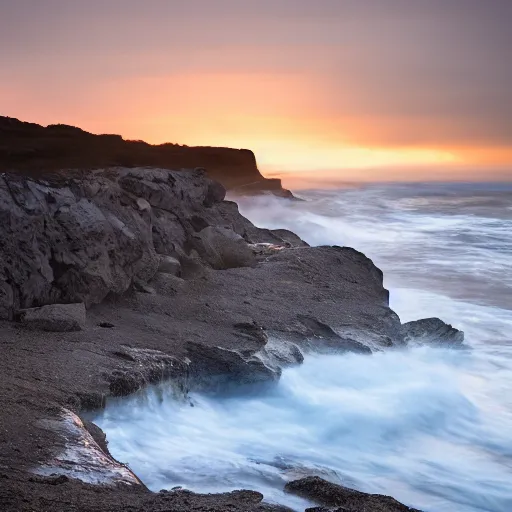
318, 89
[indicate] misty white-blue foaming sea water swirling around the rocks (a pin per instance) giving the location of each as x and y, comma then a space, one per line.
431, 427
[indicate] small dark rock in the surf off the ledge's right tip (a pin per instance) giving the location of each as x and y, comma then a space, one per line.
431, 331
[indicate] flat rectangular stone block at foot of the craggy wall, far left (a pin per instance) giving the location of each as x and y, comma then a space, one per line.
55, 317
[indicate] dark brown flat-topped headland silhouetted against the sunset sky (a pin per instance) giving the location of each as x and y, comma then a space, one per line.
33, 149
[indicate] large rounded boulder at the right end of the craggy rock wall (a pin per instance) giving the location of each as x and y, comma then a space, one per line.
222, 248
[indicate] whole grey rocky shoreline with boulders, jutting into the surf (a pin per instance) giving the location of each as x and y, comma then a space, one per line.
121, 277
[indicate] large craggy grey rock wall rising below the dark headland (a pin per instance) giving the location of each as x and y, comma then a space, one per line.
79, 240
